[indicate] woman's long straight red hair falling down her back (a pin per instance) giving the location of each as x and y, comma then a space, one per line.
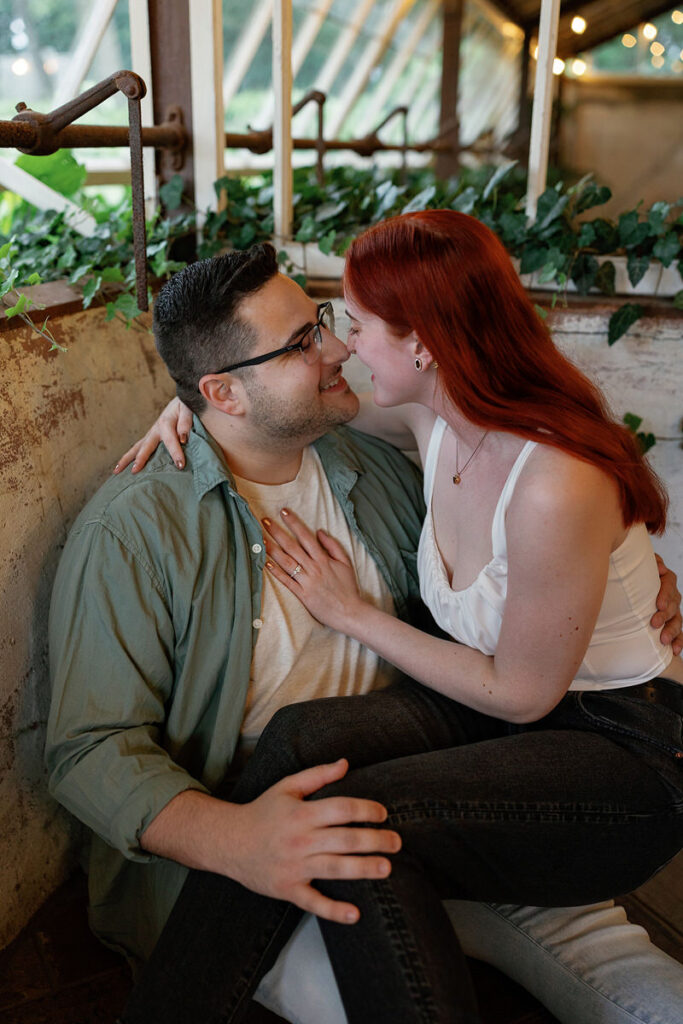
448, 278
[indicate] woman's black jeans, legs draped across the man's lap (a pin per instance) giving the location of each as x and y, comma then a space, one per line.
581, 806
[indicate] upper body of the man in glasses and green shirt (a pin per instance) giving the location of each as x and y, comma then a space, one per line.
172, 648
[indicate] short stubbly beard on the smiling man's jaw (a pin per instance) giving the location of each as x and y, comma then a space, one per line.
280, 421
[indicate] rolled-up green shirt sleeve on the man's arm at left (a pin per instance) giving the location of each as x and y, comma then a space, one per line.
112, 643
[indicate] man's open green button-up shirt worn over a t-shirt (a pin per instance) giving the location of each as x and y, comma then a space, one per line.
152, 632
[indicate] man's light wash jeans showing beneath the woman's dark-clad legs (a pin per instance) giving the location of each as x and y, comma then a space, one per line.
587, 965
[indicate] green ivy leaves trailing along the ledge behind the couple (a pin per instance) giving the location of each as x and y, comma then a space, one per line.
563, 246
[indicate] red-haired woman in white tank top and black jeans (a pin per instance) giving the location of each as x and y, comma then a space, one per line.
535, 557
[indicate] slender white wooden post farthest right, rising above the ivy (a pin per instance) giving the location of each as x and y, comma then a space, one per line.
543, 105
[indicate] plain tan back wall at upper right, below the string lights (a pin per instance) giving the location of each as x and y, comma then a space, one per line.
629, 134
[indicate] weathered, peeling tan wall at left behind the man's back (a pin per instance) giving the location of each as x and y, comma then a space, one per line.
64, 419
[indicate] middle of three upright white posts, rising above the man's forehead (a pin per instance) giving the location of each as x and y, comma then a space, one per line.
282, 129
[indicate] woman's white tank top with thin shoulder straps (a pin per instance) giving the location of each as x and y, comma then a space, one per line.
624, 650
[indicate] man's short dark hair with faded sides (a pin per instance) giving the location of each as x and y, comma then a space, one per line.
197, 322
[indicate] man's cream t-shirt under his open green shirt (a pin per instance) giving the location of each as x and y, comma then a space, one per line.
295, 658
